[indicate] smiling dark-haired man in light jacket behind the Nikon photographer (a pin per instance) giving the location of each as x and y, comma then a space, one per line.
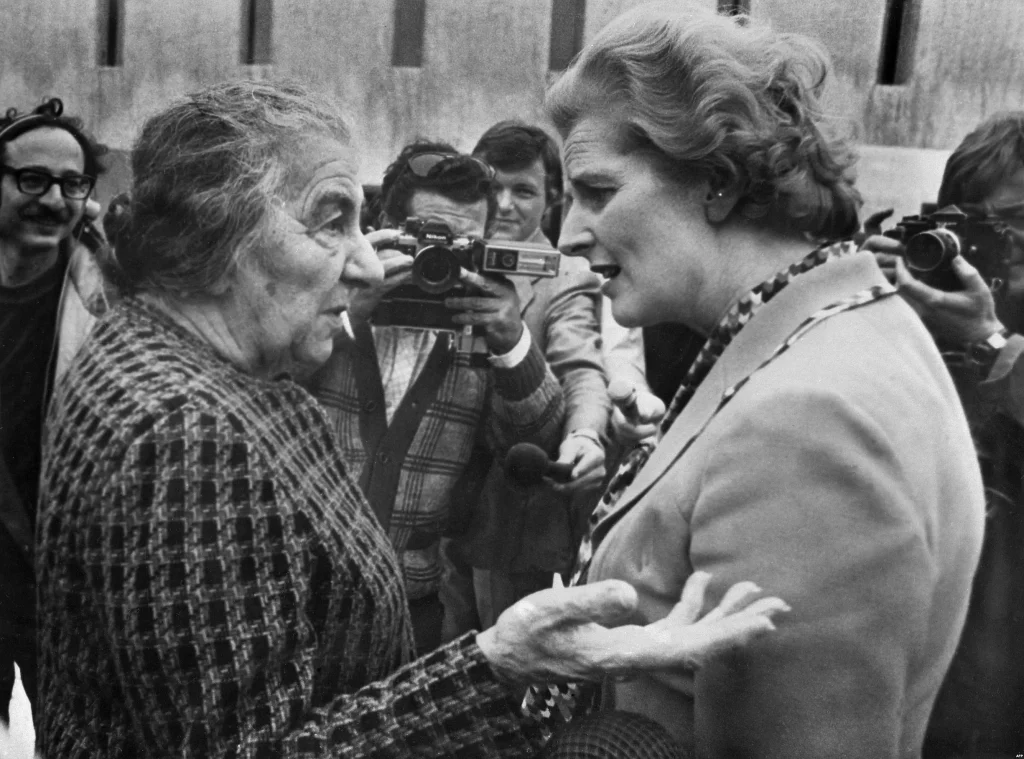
515, 539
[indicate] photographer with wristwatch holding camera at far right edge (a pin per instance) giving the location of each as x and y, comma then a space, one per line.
977, 320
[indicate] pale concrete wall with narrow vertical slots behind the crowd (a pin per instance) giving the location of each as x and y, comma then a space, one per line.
485, 61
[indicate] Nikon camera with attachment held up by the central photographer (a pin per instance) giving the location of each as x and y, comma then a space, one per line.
439, 259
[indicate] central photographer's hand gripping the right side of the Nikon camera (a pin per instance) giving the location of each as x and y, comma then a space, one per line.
492, 306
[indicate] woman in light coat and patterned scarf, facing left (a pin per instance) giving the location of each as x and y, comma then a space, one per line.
818, 445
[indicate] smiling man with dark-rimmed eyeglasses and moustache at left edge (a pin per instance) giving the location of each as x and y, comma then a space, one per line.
49, 284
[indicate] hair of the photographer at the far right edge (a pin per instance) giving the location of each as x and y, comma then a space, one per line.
986, 159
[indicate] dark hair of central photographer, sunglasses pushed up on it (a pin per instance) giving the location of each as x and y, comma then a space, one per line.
462, 185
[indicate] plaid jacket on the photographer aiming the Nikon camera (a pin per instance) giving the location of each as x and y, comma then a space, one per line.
493, 407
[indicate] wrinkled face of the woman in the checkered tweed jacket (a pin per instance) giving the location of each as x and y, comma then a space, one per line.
291, 298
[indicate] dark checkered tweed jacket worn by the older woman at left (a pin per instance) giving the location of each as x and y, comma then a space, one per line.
212, 583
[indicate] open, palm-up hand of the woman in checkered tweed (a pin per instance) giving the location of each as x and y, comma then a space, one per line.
563, 635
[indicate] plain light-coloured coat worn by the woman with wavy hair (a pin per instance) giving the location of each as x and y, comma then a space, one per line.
842, 479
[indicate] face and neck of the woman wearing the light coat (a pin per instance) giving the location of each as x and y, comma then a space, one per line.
647, 234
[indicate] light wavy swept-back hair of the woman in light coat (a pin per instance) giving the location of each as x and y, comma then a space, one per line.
722, 99
